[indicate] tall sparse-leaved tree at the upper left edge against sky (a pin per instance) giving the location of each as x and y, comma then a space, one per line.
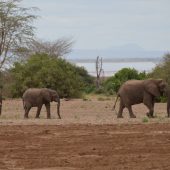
16, 29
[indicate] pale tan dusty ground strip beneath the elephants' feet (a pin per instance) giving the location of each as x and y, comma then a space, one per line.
93, 111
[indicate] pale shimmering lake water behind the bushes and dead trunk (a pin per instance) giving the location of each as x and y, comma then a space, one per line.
111, 68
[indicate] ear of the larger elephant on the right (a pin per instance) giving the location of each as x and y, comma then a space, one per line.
152, 88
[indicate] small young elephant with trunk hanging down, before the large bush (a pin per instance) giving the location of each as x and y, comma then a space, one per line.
36, 97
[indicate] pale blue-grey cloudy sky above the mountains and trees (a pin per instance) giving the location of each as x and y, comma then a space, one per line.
103, 24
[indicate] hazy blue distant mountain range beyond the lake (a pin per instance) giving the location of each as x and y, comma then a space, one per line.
125, 51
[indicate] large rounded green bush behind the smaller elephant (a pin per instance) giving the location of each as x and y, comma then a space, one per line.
43, 71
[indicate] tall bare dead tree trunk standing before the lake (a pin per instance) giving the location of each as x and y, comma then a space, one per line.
99, 70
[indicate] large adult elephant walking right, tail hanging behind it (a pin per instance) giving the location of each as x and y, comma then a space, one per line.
140, 91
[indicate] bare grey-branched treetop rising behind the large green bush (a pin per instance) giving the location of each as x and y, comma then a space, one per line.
58, 48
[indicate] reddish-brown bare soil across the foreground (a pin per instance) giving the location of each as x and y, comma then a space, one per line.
85, 147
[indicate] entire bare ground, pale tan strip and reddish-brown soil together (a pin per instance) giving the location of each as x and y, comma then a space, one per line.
88, 137
